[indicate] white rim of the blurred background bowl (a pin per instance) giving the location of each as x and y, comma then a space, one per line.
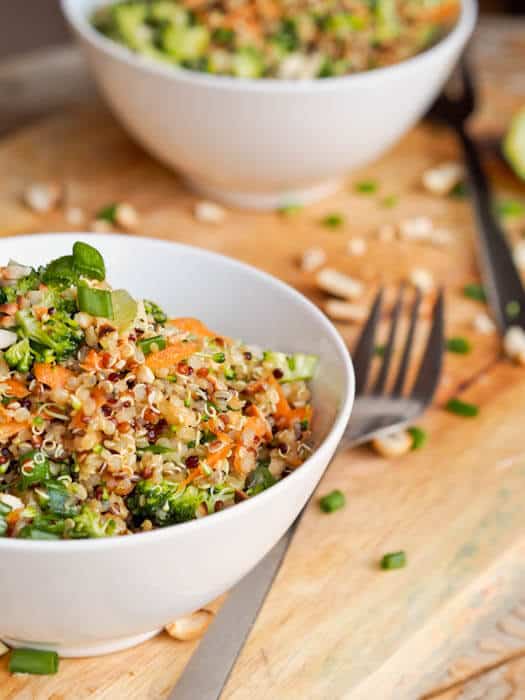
78, 20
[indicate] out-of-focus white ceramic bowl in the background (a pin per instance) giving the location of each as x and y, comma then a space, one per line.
265, 143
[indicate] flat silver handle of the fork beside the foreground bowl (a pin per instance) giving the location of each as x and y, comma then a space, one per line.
209, 668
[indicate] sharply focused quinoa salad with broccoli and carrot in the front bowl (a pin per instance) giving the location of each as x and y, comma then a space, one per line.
115, 419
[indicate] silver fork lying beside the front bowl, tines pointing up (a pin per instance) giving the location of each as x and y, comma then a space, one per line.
376, 410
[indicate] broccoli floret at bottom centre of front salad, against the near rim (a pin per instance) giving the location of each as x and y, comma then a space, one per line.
165, 503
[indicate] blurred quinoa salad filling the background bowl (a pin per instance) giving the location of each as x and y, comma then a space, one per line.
288, 39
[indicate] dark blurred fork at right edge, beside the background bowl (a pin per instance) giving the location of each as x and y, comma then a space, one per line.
501, 278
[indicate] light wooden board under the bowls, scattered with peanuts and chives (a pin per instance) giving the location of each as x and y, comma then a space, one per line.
334, 625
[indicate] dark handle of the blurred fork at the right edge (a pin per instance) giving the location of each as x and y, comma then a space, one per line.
500, 276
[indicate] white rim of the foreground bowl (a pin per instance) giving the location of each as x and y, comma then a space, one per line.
8, 544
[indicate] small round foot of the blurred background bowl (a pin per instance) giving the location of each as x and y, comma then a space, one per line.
266, 201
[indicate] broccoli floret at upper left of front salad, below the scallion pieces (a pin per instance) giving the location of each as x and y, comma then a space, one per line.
60, 334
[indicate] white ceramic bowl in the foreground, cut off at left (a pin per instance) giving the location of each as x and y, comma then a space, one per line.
92, 597
